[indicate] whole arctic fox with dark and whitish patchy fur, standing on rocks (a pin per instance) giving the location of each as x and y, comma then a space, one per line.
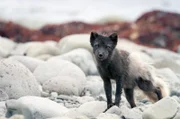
126, 69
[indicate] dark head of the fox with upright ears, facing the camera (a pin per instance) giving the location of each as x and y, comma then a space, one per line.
103, 46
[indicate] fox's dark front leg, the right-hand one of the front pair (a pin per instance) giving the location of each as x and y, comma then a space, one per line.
119, 84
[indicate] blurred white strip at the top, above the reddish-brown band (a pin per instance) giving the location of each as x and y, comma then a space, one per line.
36, 13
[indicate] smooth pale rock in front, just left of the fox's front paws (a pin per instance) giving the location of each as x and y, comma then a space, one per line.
92, 109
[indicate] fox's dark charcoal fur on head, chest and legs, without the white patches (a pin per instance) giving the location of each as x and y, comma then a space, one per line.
114, 65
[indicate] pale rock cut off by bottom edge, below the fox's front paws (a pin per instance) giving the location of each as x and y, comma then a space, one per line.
107, 116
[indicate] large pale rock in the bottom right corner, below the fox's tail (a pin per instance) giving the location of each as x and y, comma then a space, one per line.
166, 108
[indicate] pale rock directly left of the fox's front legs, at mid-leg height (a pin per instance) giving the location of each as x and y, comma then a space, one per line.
94, 85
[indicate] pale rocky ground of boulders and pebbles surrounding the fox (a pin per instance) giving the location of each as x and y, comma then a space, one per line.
59, 80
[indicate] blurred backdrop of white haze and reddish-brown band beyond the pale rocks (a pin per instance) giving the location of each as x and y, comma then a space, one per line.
154, 23
